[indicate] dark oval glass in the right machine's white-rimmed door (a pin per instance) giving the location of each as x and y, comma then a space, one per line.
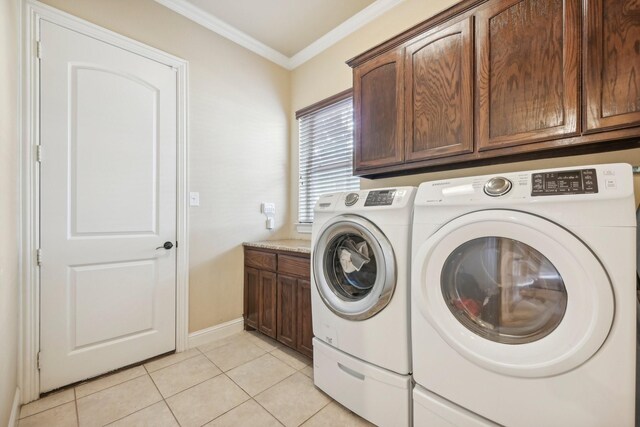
503, 290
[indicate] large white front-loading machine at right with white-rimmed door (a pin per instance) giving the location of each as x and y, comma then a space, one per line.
523, 299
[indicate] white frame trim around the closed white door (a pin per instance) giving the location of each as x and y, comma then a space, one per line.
32, 12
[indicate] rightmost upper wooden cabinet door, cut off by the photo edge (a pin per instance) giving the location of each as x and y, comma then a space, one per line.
612, 64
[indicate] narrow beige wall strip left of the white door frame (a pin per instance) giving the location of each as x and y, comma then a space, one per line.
8, 206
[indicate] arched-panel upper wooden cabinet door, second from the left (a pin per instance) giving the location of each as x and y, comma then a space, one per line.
439, 94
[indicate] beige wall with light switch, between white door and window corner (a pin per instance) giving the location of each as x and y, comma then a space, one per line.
238, 135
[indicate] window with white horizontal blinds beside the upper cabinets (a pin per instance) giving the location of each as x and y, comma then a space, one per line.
326, 151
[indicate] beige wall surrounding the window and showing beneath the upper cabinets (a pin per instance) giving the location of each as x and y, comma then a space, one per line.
327, 74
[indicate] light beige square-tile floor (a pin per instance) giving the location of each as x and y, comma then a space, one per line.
243, 380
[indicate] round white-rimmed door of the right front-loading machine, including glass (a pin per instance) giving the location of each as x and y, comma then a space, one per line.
513, 293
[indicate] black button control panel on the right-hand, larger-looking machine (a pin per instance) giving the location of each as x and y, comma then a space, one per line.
580, 181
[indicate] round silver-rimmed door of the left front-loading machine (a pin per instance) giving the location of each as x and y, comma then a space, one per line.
354, 267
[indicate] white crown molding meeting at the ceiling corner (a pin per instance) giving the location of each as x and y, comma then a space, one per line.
230, 32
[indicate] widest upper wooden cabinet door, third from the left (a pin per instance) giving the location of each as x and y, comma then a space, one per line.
527, 71
